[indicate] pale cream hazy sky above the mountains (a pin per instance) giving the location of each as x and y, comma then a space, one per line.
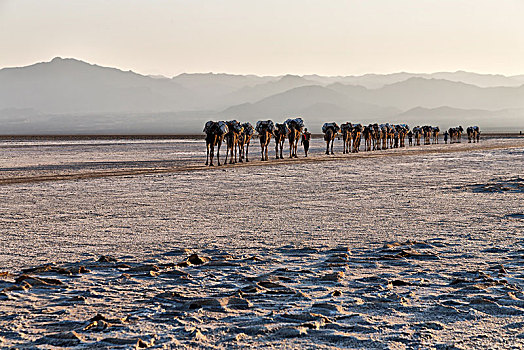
328, 37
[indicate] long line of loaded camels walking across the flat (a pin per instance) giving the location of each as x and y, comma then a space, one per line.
237, 137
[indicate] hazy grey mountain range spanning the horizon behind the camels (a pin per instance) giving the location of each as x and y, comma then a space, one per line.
74, 97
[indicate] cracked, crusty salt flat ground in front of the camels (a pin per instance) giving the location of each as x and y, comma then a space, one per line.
389, 249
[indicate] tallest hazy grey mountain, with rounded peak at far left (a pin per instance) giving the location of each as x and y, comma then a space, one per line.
72, 86
